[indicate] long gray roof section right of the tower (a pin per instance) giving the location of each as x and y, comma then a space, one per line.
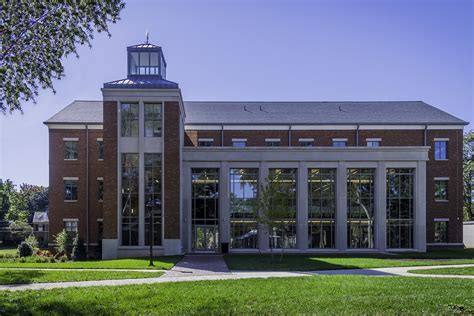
385, 112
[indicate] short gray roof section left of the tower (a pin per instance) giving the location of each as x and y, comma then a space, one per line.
79, 112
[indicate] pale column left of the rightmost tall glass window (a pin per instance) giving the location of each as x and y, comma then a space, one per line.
380, 207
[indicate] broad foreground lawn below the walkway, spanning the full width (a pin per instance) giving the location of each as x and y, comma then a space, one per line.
315, 294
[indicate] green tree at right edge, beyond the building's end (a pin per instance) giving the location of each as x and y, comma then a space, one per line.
468, 174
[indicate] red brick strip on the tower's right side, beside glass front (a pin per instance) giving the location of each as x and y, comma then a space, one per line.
172, 170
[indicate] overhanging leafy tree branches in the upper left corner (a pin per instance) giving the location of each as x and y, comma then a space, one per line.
36, 35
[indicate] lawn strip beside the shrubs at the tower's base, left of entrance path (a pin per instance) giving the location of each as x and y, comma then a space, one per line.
162, 263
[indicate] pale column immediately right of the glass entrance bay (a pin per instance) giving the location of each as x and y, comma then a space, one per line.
224, 203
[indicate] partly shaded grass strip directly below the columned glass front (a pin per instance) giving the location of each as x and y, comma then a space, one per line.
347, 261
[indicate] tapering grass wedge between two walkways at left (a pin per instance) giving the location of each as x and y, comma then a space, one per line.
42, 276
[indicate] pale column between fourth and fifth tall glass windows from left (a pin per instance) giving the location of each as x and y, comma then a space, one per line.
341, 213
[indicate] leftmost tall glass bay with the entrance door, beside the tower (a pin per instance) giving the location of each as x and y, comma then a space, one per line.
205, 209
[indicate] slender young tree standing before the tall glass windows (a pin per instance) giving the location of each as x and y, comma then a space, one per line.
275, 213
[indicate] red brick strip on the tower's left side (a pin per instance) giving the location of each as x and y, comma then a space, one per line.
110, 170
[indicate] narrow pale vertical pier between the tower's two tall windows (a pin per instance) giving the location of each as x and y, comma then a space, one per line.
141, 174
